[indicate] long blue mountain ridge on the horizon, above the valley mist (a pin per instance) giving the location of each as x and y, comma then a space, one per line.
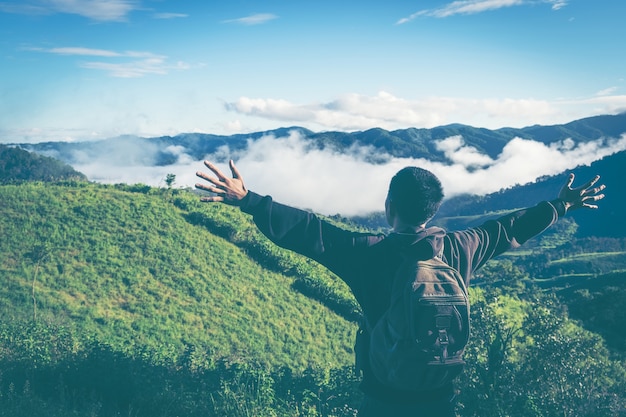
413, 142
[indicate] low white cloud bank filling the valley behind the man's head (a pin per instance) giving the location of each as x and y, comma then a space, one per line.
329, 182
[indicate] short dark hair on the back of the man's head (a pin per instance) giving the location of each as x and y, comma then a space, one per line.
416, 194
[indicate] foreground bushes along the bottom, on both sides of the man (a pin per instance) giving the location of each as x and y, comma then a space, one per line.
524, 359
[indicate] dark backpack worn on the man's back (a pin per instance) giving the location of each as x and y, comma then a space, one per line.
418, 343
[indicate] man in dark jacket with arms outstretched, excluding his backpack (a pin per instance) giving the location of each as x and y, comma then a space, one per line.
367, 262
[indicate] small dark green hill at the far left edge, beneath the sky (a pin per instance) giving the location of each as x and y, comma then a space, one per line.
19, 165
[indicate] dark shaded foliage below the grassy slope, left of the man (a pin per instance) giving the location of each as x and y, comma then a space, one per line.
48, 370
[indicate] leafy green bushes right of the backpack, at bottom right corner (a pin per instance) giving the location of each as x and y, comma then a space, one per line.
527, 359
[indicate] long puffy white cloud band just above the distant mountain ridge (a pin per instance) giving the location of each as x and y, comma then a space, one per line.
359, 112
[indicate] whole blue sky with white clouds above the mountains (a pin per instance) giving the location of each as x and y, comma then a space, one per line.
88, 69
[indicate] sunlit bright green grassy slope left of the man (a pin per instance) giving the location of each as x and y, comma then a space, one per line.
128, 268
